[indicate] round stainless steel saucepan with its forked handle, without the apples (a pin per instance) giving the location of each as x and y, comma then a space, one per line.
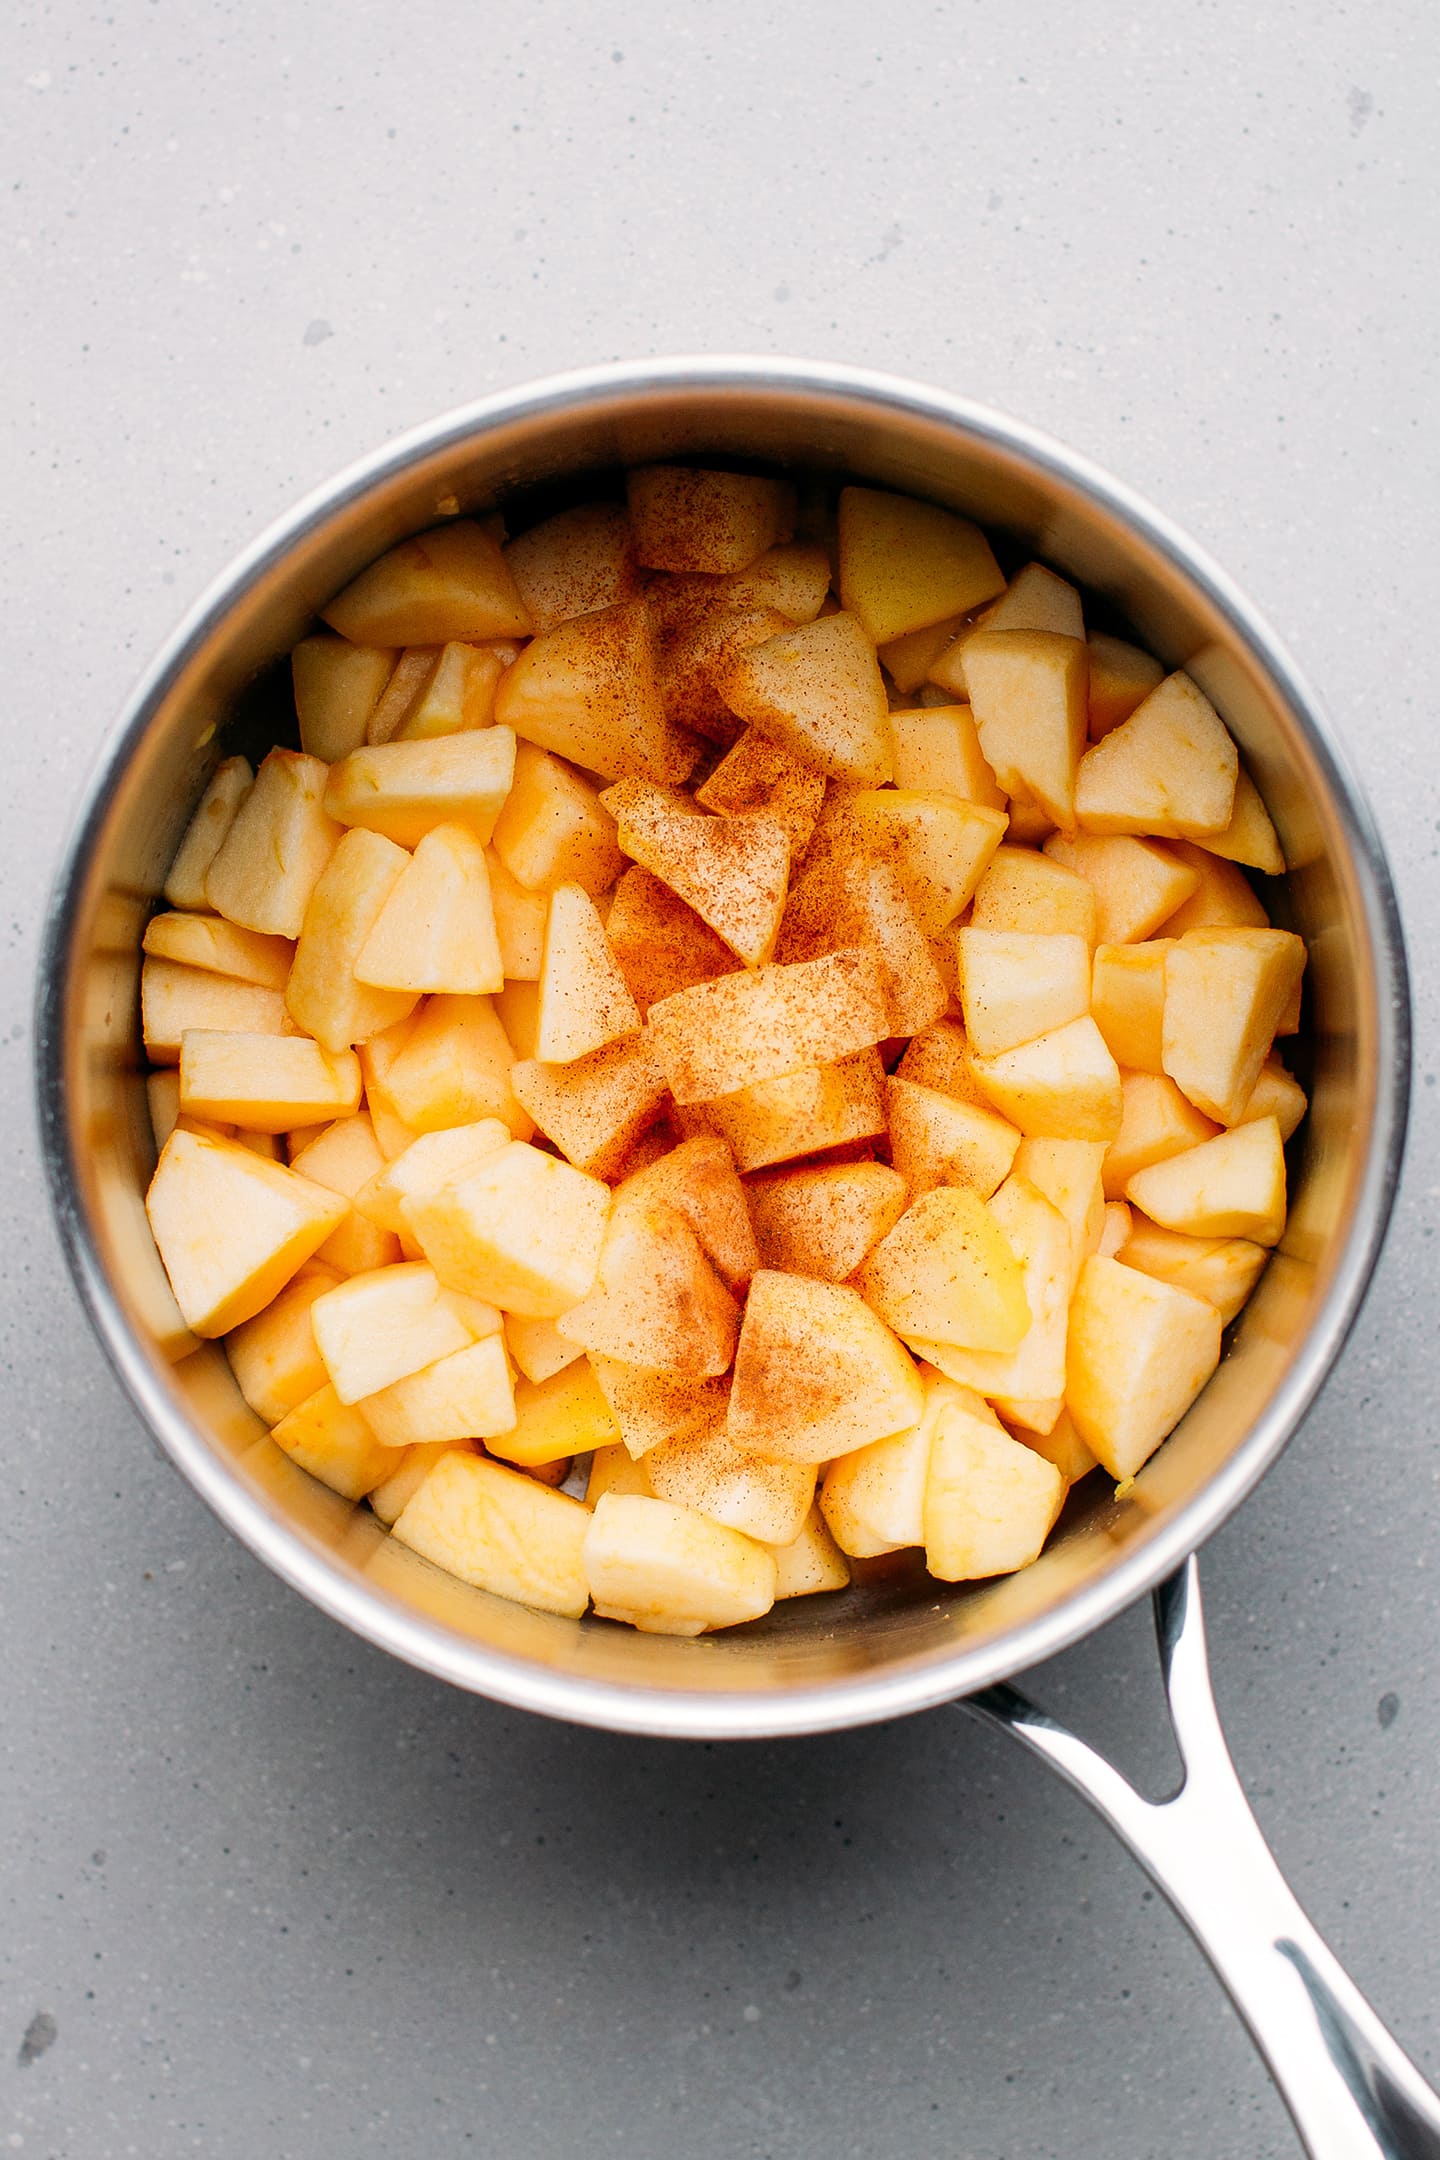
895, 1645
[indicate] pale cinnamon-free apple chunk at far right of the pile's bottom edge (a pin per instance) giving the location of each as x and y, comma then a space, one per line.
990, 1502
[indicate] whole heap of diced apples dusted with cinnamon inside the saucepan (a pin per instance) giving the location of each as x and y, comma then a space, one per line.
809, 1055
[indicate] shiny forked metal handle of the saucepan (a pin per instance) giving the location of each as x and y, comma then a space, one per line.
1348, 2085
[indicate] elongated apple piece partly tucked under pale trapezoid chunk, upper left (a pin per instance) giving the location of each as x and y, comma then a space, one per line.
325, 995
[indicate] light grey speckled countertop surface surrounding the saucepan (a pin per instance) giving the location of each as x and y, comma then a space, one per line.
280, 1895
